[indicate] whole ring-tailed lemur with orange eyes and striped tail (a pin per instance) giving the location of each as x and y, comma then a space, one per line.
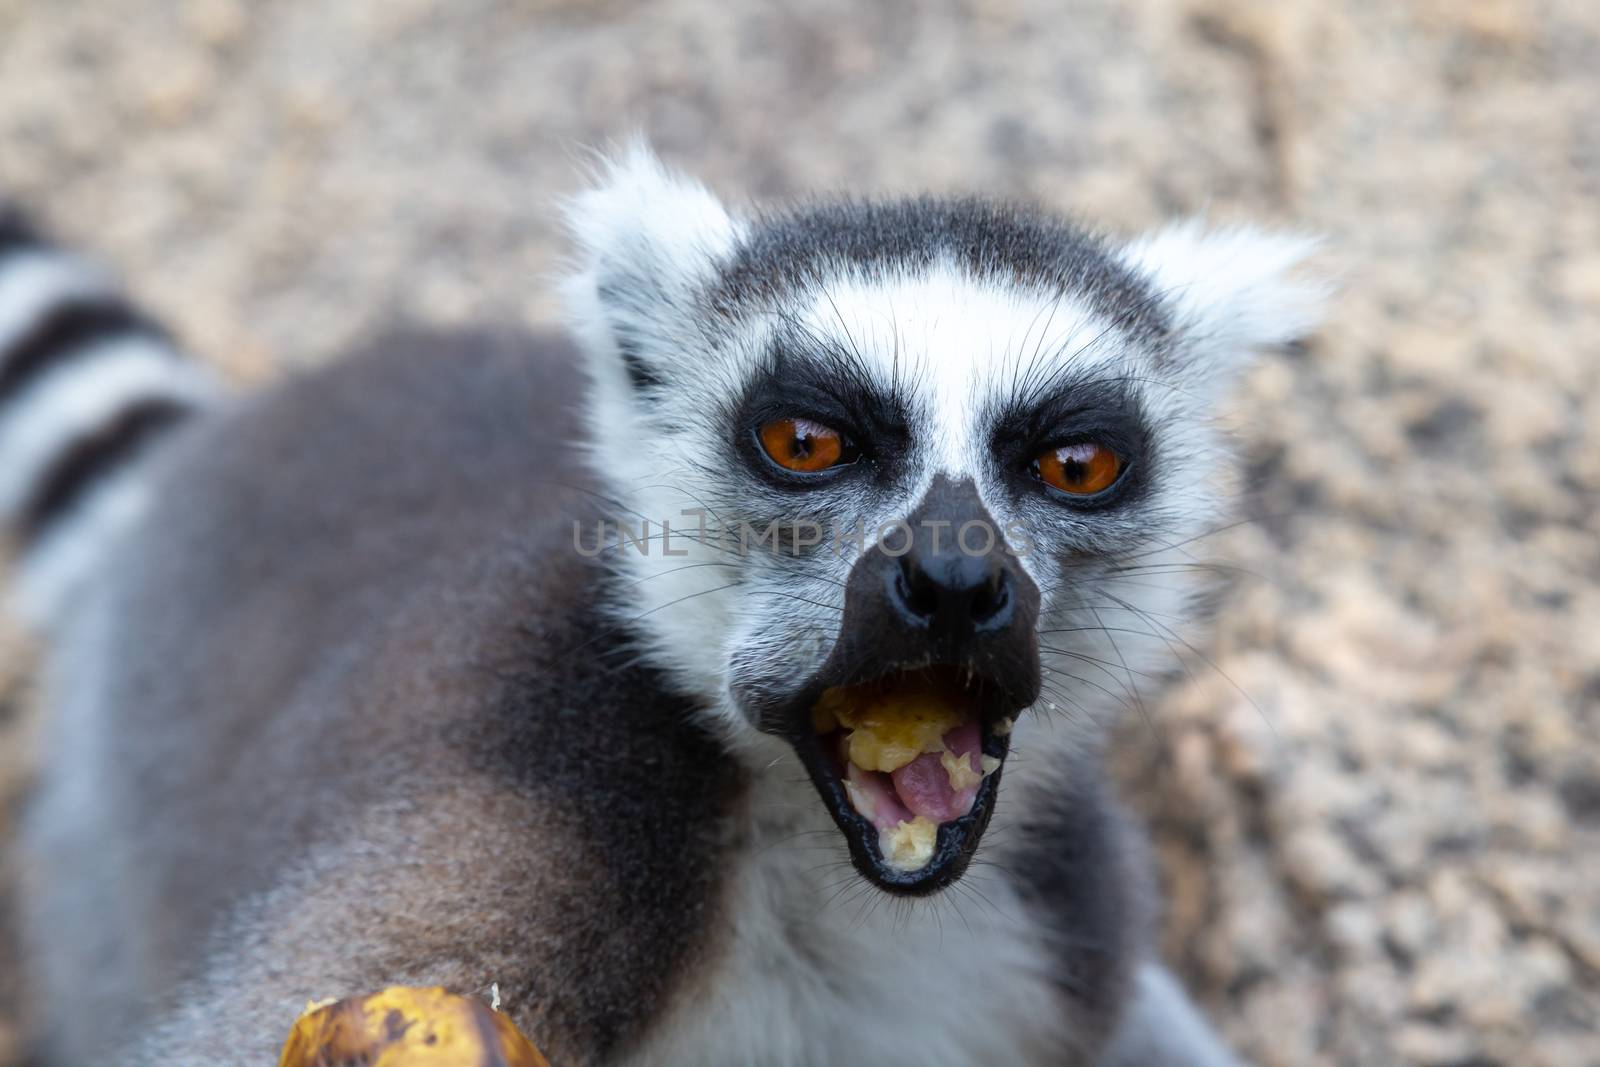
442, 665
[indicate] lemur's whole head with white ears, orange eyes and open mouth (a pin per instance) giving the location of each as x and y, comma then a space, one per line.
898, 478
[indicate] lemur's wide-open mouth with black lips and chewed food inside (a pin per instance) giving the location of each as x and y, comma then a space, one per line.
910, 765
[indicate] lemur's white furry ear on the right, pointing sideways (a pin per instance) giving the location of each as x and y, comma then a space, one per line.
1231, 290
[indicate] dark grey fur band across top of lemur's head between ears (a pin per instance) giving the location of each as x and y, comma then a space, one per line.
999, 241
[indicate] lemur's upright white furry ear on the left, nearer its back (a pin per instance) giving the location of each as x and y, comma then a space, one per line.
647, 241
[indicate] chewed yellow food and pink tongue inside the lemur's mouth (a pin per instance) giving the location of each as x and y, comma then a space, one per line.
911, 756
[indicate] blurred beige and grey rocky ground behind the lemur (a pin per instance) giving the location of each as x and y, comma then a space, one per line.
1377, 789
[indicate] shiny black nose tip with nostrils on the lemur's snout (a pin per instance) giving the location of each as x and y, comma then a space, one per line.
951, 591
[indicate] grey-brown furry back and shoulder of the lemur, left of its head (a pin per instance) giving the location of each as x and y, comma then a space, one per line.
390, 703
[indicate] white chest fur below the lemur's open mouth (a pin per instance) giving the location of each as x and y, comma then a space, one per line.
823, 970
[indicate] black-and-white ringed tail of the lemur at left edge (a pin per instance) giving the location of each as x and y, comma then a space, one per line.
87, 386
